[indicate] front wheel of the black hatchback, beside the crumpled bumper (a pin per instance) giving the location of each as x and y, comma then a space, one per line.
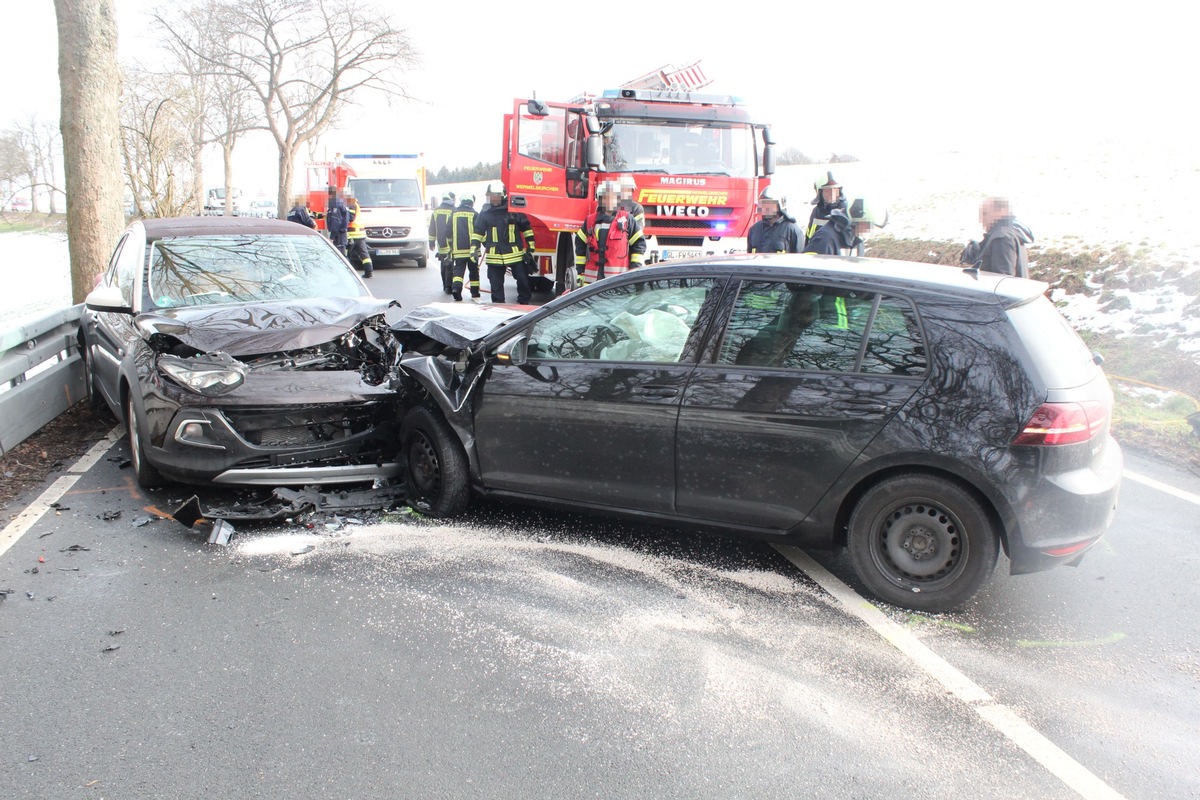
435, 465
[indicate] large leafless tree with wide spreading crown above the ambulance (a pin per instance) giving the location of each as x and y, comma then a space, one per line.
303, 59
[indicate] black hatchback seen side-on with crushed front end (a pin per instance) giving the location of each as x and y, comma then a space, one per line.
922, 416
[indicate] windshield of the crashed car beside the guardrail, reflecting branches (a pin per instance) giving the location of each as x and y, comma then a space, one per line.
211, 270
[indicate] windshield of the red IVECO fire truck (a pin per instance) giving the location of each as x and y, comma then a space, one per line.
680, 148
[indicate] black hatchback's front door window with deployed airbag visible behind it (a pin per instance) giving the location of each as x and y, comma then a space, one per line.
649, 322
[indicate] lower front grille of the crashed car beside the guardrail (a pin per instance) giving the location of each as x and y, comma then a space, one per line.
311, 426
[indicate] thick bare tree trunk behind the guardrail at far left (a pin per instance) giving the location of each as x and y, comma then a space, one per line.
91, 89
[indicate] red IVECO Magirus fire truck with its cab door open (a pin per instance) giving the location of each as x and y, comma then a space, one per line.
694, 158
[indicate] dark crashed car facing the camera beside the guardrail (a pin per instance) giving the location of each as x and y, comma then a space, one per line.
242, 352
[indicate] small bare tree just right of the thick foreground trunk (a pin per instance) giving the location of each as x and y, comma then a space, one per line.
155, 143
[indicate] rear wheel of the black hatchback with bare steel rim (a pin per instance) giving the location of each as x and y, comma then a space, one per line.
922, 543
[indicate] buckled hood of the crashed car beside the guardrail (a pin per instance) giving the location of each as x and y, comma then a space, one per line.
263, 328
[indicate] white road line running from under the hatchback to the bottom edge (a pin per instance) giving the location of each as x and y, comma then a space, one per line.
998, 715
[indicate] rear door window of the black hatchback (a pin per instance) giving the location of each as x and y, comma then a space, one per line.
787, 326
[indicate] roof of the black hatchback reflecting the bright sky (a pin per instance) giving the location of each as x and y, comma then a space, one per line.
879, 274
